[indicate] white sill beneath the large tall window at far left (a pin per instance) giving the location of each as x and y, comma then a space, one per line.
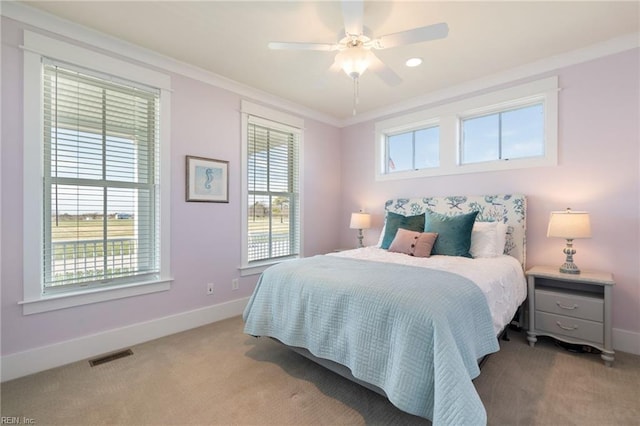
68, 300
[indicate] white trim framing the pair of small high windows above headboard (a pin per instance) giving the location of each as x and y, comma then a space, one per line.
448, 117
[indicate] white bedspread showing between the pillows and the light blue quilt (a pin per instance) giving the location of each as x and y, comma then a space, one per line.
501, 279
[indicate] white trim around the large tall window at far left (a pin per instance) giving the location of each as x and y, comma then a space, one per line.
36, 46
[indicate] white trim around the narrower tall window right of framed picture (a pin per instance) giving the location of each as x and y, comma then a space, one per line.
258, 111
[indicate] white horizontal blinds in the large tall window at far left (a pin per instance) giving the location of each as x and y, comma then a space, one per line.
101, 179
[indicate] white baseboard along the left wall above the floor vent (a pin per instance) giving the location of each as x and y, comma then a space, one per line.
43, 358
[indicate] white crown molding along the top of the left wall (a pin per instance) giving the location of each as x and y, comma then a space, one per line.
81, 35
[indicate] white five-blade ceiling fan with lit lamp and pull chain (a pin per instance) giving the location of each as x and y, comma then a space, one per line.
355, 54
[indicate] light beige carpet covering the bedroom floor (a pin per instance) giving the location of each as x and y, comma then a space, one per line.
216, 375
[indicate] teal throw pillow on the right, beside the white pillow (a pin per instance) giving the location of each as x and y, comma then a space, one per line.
454, 233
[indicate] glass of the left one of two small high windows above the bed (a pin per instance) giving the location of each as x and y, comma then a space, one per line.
413, 150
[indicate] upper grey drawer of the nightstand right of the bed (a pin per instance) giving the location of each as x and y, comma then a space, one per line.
572, 305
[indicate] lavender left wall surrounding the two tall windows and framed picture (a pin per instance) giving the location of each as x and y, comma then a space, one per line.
205, 237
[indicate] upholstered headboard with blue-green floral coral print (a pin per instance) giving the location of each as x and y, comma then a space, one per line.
509, 209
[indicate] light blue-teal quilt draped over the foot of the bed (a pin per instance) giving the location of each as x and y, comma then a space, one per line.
414, 332
